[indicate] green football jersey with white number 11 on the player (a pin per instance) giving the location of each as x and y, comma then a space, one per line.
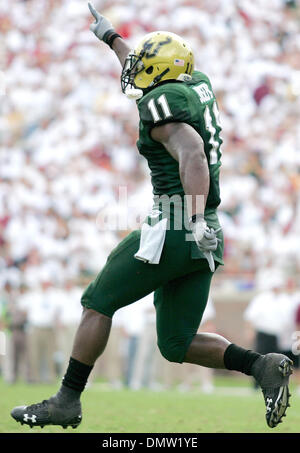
190, 102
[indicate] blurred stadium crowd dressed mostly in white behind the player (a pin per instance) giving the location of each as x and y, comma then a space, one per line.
68, 139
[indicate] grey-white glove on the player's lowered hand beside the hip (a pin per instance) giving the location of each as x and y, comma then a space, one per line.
206, 238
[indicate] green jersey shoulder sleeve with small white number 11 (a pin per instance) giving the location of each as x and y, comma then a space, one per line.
165, 104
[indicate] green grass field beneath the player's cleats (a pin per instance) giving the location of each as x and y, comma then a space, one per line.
233, 408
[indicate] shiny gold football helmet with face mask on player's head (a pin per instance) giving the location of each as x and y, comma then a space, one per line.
160, 56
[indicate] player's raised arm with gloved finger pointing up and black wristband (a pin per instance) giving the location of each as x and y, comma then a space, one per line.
104, 30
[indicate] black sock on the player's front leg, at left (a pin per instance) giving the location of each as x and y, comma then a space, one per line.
75, 378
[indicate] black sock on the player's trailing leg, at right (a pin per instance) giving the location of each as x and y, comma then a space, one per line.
239, 359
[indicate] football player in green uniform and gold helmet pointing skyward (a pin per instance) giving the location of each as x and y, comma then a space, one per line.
180, 244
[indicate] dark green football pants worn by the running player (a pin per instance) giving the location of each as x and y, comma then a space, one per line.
181, 286
